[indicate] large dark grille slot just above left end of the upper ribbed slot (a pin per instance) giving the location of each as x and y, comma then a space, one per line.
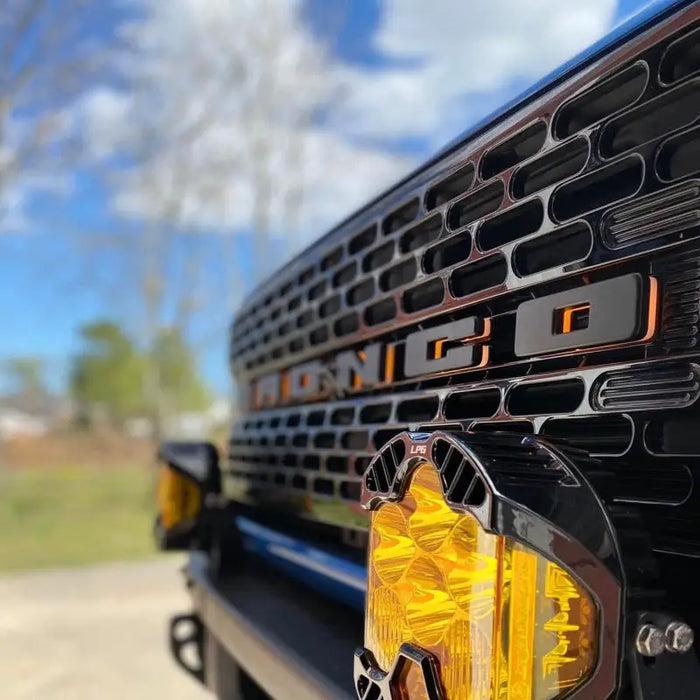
599, 188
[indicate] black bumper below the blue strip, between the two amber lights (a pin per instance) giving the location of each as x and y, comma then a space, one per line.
293, 642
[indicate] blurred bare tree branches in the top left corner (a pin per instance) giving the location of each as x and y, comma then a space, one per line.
45, 63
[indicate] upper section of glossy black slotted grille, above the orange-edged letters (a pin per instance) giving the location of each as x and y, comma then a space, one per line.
623, 140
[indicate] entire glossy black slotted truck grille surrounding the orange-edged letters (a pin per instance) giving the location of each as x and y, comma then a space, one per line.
590, 185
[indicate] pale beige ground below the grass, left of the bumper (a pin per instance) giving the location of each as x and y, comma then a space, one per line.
95, 632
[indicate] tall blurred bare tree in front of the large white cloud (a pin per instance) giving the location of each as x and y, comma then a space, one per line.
214, 104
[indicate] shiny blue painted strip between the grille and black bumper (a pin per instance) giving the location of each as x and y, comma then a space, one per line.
329, 573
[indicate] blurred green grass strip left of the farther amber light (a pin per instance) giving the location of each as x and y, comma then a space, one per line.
60, 516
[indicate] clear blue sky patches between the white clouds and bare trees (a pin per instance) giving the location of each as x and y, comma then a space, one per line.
46, 293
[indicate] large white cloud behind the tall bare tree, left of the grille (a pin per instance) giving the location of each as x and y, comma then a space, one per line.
214, 97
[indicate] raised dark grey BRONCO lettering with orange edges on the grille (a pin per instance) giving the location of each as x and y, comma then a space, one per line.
463, 344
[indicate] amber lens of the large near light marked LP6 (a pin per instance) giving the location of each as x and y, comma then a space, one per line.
502, 621
